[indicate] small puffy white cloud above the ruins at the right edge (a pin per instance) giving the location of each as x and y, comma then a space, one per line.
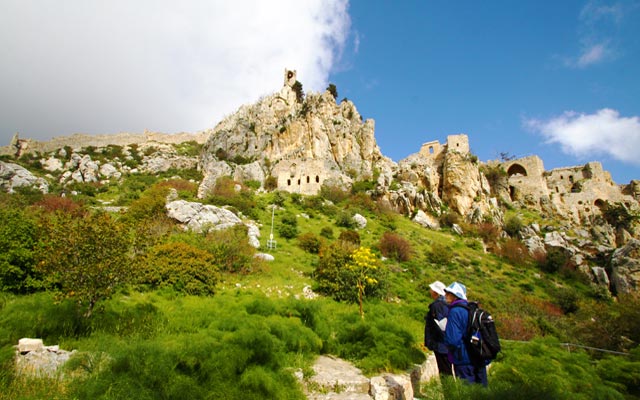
582, 135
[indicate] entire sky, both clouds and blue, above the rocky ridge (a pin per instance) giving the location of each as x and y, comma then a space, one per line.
556, 79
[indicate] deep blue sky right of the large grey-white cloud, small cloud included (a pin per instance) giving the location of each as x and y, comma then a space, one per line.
506, 73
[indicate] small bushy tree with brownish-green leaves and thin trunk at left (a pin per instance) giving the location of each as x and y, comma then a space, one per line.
86, 257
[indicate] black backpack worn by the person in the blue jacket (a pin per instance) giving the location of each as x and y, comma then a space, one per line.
481, 339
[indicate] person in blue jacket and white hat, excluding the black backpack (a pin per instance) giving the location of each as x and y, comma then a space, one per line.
455, 336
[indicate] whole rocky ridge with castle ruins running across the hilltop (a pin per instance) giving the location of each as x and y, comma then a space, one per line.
299, 143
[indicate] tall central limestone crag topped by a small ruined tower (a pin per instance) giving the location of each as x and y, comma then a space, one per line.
301, 143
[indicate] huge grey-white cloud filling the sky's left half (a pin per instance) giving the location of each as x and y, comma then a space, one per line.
108, 66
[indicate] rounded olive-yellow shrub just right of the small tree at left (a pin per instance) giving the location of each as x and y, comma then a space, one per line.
181, 267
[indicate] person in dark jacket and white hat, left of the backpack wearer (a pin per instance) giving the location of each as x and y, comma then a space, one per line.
433, 333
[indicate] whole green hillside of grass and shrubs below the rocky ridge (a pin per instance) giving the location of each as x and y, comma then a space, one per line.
196, 316
